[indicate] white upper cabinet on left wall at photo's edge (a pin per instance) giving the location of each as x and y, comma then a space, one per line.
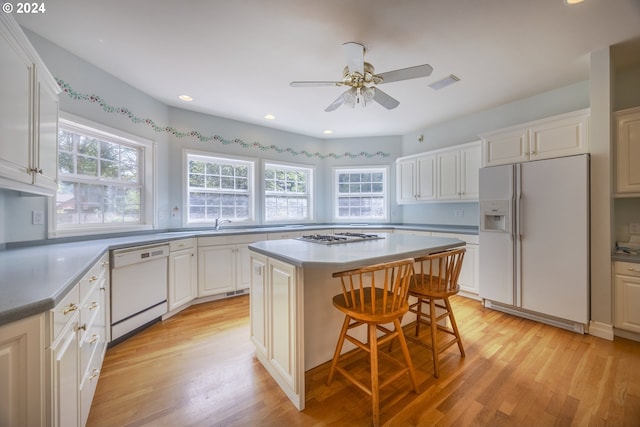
28, 115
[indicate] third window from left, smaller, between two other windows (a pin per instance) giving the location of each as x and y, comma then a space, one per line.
287, 194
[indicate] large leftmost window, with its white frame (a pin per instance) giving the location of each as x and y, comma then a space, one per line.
105, 180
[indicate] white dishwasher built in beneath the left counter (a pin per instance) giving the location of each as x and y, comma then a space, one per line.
138, 288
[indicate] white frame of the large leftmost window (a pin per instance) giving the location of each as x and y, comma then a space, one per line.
147, 173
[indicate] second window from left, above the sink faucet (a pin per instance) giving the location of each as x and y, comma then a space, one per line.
218, 187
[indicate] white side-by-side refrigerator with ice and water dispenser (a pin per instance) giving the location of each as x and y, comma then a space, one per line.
534, 240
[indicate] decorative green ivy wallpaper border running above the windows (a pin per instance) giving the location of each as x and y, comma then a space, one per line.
77, 96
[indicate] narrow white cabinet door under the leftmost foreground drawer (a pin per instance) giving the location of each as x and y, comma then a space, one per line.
66, 379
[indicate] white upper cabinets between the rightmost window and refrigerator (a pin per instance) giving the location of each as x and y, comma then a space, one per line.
449, 174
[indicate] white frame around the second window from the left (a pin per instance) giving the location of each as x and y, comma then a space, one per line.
186, 154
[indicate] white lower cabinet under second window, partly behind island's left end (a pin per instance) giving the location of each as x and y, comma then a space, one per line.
223, 264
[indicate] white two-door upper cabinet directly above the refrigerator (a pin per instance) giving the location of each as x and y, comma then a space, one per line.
558, 136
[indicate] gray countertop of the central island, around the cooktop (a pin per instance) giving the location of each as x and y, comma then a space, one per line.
344, 256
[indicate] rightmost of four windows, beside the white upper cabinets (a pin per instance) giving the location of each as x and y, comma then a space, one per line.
361, 193
